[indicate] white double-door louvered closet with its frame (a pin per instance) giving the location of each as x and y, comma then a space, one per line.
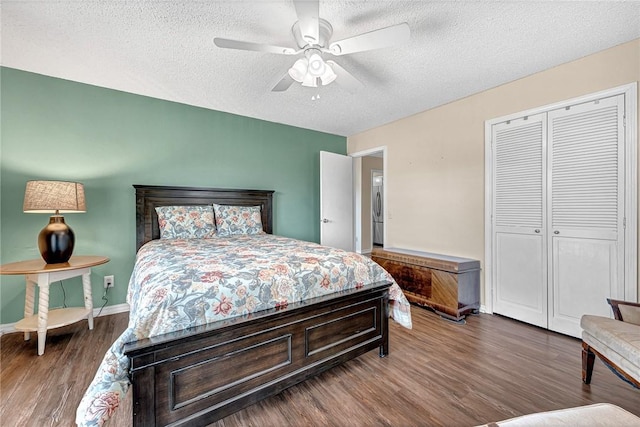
558, 212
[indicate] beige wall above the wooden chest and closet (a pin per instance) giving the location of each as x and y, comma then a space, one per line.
435, 159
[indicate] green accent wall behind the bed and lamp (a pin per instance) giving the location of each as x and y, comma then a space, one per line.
109, 140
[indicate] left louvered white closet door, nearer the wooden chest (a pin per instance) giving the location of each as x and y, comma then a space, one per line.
519, 185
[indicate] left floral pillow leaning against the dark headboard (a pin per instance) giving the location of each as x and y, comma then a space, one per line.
186, 222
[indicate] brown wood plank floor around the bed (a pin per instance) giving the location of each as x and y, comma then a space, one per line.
438, 374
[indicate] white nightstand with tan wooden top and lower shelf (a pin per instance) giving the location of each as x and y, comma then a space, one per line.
37, 272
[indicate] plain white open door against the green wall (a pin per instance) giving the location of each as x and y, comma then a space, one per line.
336, 200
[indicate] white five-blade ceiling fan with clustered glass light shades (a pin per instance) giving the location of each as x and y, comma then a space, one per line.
312, 35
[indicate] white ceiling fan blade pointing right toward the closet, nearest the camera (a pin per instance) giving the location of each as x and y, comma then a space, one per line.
384, 37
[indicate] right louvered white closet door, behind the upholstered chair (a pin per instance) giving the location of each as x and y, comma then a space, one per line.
586, 179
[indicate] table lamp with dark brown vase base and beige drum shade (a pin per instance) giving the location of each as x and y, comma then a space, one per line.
56, 240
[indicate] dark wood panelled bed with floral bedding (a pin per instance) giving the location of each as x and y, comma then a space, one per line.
197, 368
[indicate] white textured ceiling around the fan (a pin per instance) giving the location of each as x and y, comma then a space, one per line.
165, 49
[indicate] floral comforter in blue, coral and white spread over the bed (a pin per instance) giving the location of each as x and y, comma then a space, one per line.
183, 283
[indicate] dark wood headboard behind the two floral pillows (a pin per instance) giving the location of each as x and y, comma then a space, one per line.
150, 196
